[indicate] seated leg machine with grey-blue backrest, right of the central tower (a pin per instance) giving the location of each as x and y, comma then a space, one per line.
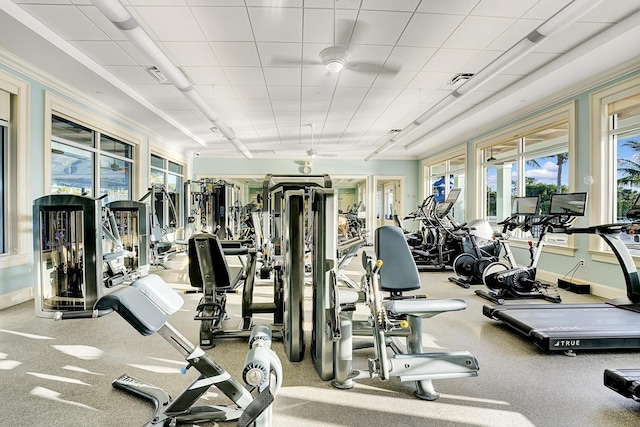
392, 318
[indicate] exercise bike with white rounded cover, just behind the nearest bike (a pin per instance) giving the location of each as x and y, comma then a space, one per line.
470, 266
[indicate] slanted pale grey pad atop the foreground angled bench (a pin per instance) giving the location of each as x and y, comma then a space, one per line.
135, 308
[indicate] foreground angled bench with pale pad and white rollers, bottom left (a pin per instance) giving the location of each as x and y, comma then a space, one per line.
145, 305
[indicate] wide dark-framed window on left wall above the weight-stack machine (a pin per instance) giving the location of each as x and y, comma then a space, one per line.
75, 150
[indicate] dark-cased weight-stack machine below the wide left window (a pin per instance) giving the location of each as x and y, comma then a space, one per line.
79, 251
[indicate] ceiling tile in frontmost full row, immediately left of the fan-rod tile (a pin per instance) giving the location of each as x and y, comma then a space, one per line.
276, 24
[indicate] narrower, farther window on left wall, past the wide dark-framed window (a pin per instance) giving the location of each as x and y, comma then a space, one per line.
167, 175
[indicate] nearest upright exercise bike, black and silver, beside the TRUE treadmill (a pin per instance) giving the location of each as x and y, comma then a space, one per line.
505, 283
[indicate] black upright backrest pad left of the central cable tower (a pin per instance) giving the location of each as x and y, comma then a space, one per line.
207, 261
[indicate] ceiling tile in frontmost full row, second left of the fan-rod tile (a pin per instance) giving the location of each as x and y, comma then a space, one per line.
224, 23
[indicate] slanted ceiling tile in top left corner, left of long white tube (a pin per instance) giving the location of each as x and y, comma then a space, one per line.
58, 17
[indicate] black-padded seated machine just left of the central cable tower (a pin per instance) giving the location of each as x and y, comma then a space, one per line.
209, 272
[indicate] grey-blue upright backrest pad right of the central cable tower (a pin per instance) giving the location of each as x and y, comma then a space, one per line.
398, 271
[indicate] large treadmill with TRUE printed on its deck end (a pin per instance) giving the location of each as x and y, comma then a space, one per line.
614, 324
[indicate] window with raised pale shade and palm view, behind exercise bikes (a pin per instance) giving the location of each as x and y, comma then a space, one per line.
530, 159
